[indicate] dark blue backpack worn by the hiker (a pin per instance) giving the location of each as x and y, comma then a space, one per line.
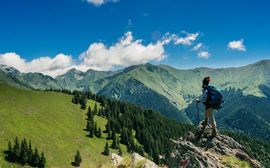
214, 97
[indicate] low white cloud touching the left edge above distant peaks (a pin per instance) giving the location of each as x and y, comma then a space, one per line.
46, 65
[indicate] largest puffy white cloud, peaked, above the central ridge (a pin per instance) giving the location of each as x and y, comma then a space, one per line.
125, 52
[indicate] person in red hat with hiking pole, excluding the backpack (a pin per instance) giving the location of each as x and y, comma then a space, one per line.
209, 108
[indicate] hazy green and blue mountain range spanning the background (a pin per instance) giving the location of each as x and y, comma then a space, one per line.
171, 91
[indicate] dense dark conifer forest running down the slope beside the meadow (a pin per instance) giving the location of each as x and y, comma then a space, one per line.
142, 130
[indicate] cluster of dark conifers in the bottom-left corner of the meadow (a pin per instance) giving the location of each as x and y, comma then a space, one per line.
23, 154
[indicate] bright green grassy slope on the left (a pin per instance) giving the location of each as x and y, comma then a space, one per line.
53, 123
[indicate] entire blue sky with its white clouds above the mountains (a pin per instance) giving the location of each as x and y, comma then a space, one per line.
41, 30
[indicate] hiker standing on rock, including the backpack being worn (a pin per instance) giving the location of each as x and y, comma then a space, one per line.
212, 99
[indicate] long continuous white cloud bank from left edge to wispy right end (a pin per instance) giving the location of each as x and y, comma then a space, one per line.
125, 52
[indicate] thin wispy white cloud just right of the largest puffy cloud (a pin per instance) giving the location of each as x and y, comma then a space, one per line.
187, 40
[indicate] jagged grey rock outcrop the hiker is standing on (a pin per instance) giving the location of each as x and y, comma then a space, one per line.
203, 151
